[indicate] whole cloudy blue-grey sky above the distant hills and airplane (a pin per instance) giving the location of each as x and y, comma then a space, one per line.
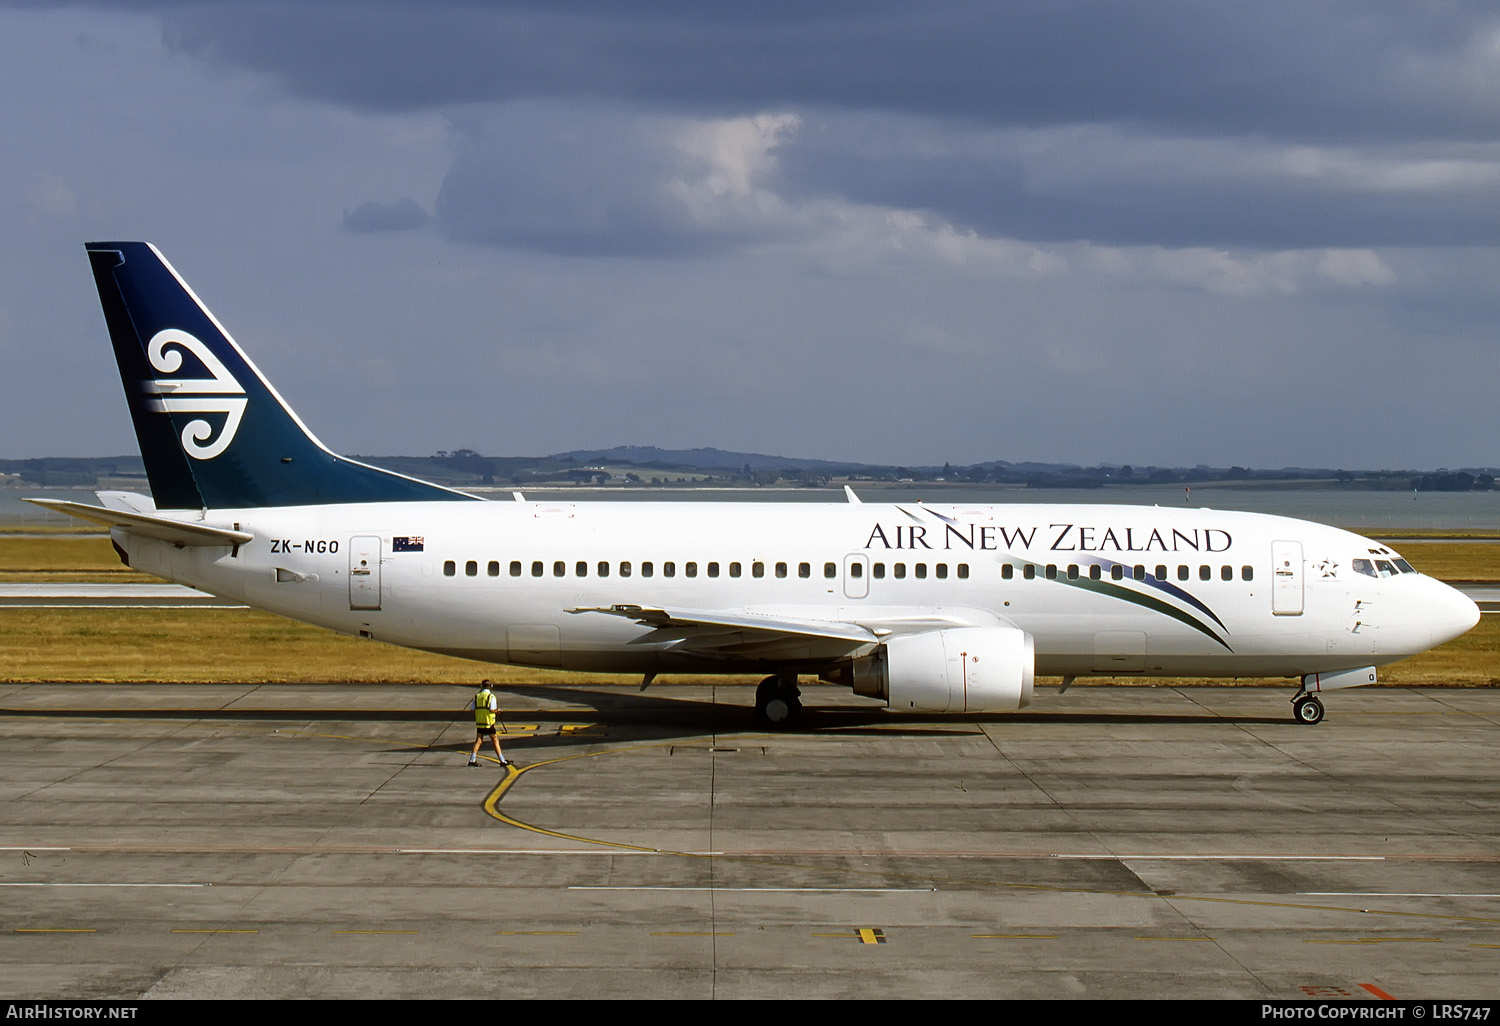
1163, 233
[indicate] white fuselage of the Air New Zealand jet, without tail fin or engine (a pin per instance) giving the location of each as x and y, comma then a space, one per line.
1100, 589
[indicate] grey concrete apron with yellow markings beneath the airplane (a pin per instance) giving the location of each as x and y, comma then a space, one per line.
323, 841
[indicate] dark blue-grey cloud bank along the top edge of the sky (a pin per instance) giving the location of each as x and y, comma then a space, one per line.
1289, 68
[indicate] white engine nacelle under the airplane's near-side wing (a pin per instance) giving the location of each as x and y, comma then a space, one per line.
962, 670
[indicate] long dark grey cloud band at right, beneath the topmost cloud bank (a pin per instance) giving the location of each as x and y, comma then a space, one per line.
1106, 188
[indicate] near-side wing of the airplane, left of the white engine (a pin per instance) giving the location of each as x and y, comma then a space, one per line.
739, 635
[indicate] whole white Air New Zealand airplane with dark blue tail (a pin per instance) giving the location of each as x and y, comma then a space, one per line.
935, 610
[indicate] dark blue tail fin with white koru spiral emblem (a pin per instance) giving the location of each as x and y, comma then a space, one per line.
214, 431
